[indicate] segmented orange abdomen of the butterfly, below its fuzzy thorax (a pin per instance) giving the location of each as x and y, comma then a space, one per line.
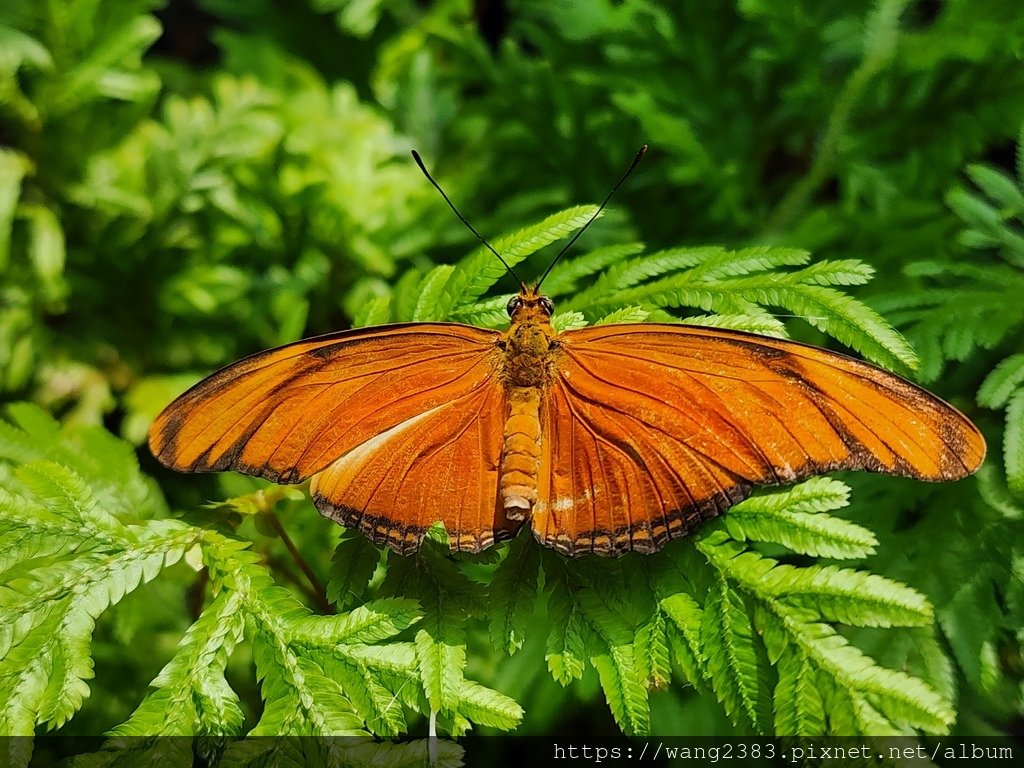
522, 452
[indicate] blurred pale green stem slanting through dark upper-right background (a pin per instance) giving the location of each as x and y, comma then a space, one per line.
877, 58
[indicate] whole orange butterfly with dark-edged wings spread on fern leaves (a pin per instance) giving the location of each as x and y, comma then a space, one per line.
609, 440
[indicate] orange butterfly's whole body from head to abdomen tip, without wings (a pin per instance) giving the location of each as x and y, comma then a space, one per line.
527, 371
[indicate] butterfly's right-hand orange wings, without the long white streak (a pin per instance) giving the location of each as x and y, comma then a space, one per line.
651, 430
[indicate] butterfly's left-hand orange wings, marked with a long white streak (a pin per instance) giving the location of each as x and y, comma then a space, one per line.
405, 423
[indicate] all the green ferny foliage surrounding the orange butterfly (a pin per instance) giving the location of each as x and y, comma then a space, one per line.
186, 184
